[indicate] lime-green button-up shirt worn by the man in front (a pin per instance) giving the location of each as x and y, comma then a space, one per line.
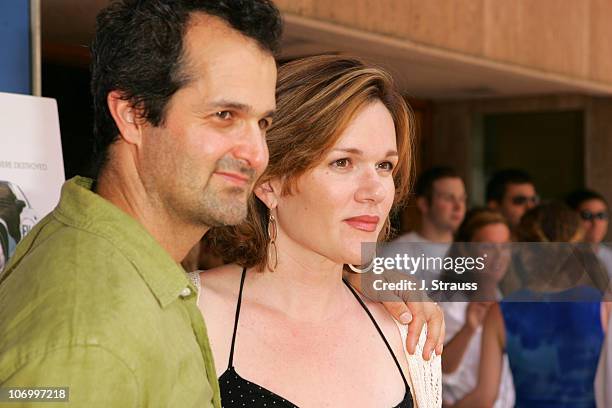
92, 302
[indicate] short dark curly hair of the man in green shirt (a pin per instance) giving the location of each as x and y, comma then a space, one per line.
138, 51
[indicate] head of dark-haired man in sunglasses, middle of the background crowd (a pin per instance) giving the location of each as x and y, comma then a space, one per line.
512, 193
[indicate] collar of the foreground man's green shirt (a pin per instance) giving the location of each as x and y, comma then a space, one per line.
81, 208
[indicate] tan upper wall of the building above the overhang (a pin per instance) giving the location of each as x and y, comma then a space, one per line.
568, 37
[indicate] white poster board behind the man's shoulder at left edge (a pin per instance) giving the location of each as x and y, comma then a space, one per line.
31, 165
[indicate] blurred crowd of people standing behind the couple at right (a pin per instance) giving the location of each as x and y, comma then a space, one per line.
533, 336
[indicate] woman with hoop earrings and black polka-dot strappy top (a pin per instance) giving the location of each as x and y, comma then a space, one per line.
339, 160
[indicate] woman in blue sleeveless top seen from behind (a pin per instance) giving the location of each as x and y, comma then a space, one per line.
552, 330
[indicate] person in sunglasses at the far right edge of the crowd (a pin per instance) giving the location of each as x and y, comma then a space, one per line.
594, 213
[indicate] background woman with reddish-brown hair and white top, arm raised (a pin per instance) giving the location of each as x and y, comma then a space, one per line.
483, 231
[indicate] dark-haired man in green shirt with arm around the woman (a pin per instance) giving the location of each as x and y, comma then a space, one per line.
94, 298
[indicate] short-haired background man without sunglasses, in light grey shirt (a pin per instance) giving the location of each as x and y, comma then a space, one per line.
441, 201
